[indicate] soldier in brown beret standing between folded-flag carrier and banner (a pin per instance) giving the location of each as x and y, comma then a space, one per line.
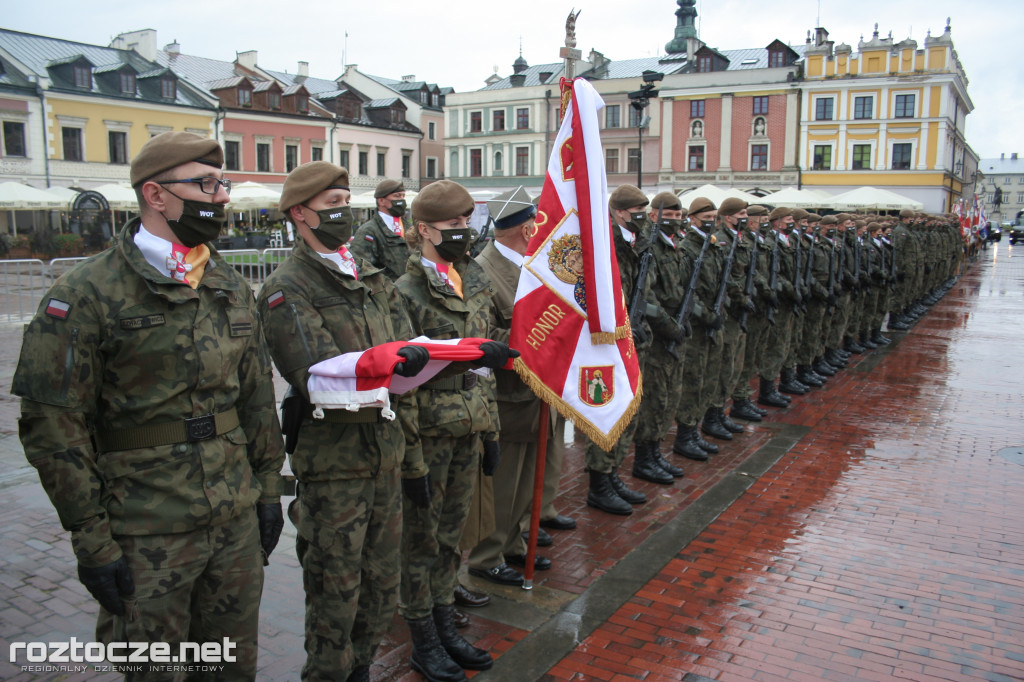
449, 296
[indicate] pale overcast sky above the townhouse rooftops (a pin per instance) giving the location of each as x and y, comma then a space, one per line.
460, 42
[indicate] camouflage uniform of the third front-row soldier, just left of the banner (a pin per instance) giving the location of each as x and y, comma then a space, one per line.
455, 415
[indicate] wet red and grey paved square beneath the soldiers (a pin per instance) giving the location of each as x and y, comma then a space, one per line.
873, 531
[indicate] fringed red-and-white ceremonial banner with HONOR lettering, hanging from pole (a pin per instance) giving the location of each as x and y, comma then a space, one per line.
570, 322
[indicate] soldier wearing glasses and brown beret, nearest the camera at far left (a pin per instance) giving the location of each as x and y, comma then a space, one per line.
148, 409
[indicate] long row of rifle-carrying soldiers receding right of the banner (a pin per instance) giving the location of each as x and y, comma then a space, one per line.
736, 293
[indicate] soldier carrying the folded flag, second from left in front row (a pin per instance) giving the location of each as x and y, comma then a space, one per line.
321, 304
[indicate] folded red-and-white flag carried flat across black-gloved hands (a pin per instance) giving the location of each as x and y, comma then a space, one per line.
365, 378
